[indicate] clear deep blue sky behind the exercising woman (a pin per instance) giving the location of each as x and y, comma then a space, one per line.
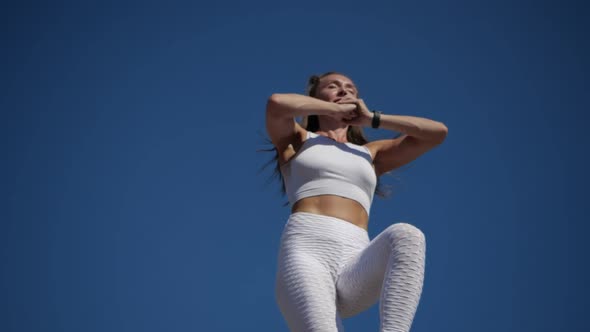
131, 199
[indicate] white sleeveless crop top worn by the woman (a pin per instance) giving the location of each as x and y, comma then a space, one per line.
325, 167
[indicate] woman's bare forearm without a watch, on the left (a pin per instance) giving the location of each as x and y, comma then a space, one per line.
295, 105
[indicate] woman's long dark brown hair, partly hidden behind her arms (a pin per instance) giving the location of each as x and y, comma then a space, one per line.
354, 134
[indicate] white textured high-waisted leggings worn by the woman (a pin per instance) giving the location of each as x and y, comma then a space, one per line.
328, 269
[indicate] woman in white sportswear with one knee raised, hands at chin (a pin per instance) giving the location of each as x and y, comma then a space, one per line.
328, 268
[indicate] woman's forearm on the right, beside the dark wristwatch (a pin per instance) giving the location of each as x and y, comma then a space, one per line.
421, 128
